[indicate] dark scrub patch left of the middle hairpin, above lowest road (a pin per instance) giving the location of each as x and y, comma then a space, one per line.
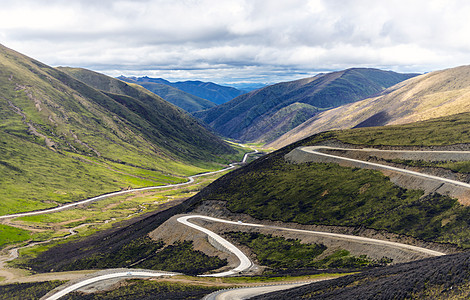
143, 253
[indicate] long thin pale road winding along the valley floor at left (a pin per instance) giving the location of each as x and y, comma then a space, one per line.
101, 197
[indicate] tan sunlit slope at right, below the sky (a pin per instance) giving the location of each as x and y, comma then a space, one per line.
436, 94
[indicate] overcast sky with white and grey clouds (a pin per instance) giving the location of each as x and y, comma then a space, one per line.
234, 40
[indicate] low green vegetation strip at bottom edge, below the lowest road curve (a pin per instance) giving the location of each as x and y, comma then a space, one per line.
148, 290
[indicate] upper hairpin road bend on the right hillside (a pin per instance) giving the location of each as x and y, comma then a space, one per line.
315, 150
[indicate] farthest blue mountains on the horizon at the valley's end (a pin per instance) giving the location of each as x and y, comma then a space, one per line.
212, 92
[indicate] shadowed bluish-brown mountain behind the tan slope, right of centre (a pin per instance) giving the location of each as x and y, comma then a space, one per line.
267, 113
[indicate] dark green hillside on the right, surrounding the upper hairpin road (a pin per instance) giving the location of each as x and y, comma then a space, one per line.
328, 194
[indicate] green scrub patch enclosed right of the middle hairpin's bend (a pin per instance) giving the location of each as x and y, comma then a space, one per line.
281, 253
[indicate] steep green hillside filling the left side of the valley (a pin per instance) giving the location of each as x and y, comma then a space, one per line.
62, 140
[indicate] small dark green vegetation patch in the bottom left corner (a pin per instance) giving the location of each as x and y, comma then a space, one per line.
27, 291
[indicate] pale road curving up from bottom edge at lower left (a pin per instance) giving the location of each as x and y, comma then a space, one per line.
127, 274
